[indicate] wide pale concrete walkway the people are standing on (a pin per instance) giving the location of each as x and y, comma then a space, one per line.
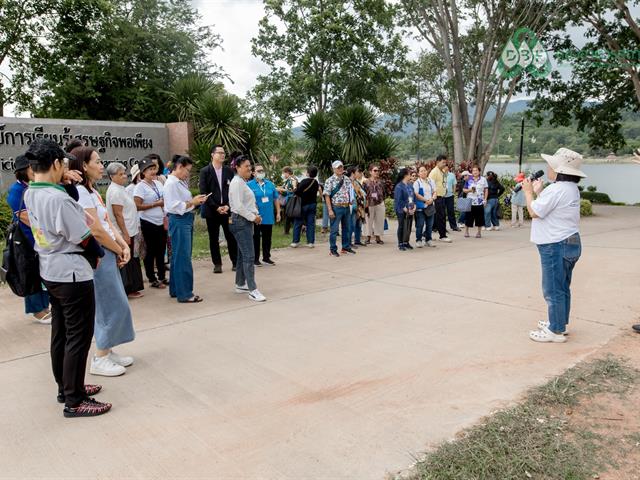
352, 367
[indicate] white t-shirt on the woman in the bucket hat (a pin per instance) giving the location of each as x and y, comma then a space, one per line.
558, 207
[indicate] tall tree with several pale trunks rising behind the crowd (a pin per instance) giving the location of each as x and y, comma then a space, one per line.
469, 36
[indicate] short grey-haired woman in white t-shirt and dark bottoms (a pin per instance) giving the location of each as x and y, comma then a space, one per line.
124, 217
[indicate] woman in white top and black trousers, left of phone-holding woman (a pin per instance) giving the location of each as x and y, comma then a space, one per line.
149, 198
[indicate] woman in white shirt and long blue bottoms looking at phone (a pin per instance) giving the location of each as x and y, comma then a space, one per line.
179, 204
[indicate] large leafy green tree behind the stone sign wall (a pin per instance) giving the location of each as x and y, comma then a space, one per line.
114, 59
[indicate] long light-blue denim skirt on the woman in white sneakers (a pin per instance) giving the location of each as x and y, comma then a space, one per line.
114, 324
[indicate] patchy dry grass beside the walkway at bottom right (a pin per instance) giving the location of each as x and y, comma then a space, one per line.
533, 439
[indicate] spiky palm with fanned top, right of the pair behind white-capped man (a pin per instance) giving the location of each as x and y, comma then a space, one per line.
355, 123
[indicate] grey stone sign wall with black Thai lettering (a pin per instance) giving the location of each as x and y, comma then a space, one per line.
124, 142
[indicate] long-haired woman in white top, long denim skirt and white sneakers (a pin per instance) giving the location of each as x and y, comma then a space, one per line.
113, 325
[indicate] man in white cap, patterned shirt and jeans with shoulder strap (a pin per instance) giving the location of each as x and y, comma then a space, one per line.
337, 195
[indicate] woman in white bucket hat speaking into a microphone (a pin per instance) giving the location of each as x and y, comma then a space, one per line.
555, 229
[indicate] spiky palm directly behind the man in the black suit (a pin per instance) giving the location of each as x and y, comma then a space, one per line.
218, 119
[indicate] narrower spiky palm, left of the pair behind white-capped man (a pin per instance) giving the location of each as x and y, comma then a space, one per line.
319, 130
